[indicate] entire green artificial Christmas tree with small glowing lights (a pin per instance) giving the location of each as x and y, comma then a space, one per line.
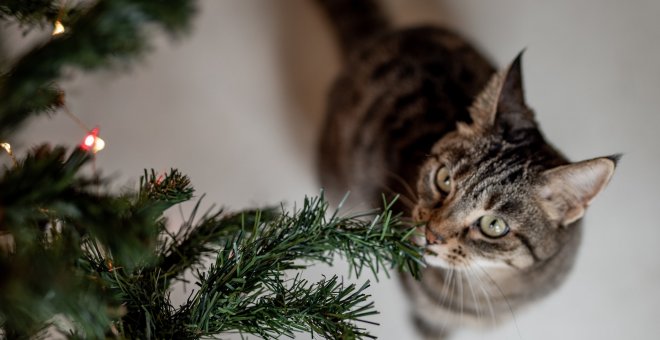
87, 263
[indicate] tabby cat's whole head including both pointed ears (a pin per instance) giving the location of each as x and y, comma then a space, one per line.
494, 194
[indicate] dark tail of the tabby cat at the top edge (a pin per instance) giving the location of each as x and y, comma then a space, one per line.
355, 21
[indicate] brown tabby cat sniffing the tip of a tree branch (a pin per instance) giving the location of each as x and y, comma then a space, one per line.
420, 112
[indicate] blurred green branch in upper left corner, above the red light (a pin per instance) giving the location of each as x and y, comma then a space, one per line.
90, 43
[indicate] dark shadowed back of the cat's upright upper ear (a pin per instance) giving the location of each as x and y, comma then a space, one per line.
512, 114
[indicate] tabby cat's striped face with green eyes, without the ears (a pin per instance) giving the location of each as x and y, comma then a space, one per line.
479, 205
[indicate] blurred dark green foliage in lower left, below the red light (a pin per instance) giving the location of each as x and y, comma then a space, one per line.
50, 211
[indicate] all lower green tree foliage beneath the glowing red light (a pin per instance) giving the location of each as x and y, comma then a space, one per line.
107, 263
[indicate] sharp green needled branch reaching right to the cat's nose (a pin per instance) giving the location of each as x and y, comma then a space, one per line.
245, 289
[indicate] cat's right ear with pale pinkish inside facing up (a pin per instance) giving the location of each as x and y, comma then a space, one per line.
567, 190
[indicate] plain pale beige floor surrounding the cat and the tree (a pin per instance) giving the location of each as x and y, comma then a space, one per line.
237, 107
